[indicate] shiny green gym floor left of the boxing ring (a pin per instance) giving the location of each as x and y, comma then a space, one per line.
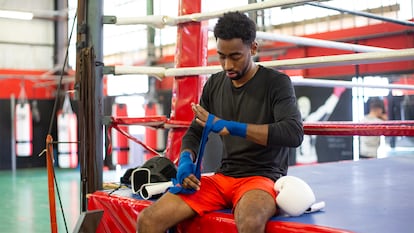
24, 200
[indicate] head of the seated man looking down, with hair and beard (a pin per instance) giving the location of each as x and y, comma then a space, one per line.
235, 34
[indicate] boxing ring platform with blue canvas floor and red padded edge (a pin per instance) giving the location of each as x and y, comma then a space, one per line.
369, 196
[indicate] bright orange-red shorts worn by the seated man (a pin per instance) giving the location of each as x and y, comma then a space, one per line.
223, 192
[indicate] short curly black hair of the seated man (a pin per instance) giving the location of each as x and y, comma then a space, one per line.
235, 25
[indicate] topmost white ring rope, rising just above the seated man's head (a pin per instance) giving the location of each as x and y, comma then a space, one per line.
161, 21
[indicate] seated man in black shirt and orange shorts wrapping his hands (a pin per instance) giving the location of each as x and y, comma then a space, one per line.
254, 110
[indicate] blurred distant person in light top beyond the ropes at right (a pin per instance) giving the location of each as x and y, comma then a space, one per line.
376, 113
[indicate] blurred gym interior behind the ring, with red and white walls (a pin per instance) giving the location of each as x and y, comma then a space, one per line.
37, 36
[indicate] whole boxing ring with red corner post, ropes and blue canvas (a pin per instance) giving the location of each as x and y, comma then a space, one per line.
361, 196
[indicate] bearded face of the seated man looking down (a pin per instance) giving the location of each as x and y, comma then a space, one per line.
235, 57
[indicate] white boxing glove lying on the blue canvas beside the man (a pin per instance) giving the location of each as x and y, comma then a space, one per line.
295, 196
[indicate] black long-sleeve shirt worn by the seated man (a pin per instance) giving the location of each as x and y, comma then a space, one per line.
267, 98
